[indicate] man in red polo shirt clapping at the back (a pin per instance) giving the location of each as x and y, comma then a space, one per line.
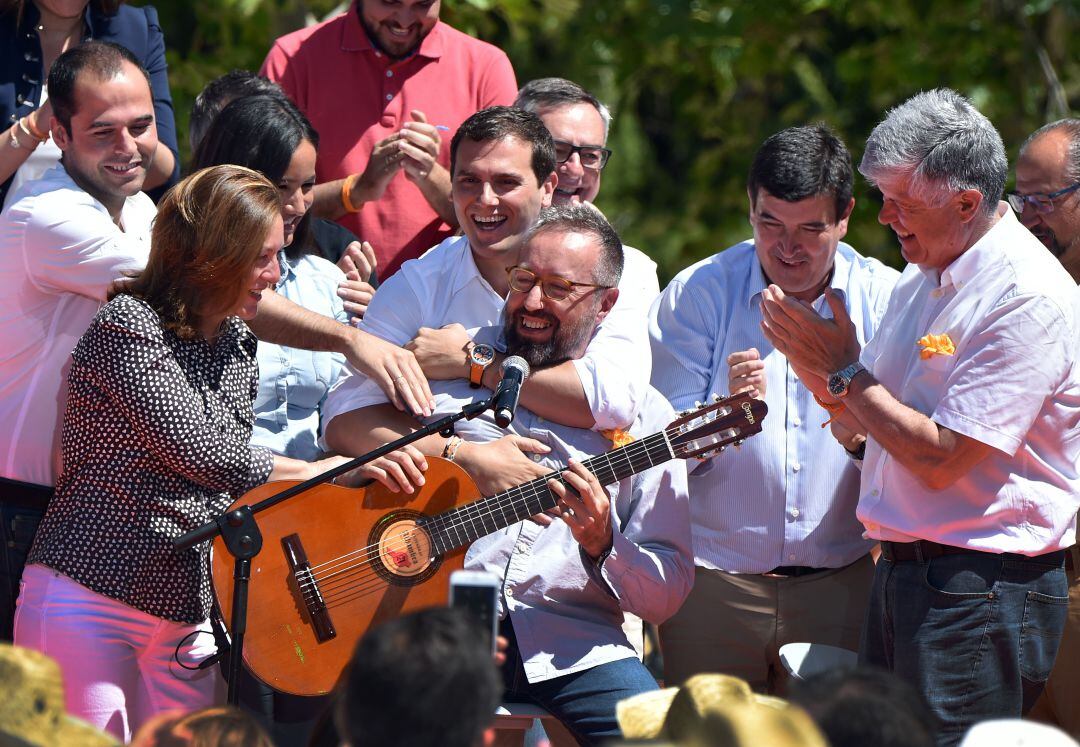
385, 84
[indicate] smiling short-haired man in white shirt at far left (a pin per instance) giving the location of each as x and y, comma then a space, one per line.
63, 240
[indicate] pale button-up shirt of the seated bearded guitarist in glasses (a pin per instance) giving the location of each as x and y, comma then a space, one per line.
568, 615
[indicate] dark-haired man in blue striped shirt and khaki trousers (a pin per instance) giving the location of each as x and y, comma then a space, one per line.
780, 555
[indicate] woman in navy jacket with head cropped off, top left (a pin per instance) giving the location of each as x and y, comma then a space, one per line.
33, 35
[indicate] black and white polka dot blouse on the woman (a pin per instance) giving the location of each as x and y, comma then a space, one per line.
156, 443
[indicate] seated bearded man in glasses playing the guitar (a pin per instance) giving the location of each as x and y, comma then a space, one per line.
577, 581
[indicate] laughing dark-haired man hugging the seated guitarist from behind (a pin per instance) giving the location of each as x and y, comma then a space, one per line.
504, 165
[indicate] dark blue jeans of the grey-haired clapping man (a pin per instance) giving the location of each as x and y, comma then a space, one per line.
977, 634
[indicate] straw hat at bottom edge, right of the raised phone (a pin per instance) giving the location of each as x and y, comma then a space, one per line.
717, 710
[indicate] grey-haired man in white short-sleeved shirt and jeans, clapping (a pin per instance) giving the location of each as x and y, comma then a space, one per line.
964, 396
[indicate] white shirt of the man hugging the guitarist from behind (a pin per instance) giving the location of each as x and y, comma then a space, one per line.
444, 287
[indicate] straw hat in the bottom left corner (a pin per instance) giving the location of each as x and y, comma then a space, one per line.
32, 704
